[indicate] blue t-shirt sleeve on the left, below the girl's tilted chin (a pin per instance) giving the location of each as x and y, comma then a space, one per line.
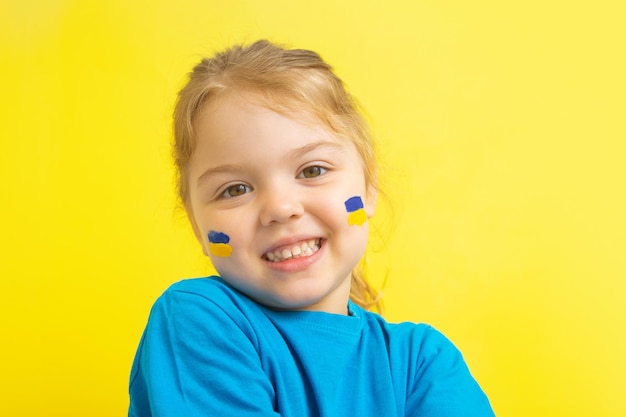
196, 359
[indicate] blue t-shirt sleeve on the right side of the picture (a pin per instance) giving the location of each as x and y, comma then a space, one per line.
442, 385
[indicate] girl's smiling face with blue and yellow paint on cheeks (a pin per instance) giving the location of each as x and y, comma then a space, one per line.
272, 204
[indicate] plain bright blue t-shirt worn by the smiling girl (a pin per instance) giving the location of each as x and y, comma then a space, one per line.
209, 350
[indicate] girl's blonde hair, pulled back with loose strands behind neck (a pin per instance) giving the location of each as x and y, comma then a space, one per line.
284, 80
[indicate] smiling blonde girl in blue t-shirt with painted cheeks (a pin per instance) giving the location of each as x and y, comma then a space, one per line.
278, 177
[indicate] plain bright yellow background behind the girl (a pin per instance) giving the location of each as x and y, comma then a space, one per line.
501, 131
